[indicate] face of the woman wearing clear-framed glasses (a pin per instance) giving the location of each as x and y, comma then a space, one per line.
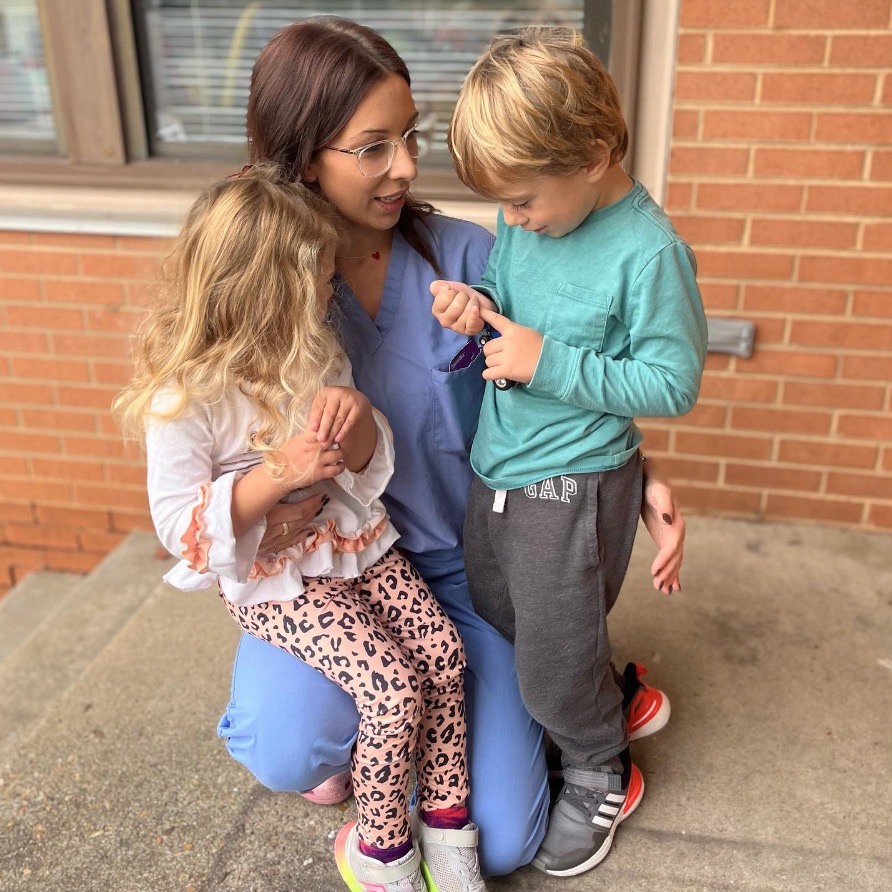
387, 112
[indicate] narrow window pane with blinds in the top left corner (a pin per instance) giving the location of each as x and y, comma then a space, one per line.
26, 117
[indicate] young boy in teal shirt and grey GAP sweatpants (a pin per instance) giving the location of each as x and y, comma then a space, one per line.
600, 320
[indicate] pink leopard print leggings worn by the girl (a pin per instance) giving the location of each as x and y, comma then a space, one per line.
383, 638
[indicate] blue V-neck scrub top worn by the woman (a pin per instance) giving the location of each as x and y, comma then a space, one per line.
401, 362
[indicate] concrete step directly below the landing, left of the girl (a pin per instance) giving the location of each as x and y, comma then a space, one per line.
59, 648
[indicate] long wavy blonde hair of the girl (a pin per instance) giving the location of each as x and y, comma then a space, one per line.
240, 306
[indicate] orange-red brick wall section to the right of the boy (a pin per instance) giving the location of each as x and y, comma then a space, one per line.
781, 179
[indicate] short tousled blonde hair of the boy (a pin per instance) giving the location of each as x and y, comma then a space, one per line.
534, 104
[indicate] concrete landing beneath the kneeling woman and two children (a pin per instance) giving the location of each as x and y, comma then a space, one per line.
775, 772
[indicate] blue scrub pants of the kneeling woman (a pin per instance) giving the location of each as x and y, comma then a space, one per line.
293, 728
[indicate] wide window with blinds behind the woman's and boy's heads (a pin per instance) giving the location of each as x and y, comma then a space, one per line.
196, 56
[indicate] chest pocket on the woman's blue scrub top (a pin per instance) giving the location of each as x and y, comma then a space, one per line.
455, 406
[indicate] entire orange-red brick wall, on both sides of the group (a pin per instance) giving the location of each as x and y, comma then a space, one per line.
780, 177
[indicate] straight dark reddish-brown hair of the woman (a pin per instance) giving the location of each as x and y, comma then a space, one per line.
306, 84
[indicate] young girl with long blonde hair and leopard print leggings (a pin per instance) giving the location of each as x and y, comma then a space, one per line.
245, 399
